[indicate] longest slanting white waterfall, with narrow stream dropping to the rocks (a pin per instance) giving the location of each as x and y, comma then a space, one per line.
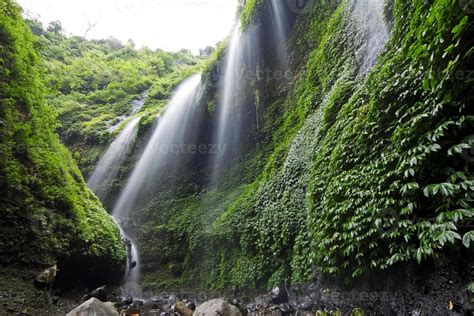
168, 134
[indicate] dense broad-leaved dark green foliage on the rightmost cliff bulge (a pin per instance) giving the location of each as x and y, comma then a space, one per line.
389, 183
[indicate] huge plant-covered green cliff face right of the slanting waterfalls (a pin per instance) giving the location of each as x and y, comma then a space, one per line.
339, 172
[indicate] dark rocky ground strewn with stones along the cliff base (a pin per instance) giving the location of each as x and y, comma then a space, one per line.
436, 288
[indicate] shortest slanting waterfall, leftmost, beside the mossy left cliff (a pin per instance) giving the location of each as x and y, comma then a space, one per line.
109, 165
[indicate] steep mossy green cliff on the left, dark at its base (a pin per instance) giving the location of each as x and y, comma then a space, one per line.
47, 214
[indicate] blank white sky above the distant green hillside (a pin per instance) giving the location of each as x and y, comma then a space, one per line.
167, 24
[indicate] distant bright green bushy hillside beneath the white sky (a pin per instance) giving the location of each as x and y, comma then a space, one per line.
91, 85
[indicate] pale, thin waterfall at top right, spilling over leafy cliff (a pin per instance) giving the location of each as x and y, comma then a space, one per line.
370, 18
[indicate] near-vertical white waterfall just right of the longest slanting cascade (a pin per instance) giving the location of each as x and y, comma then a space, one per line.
227, 133
